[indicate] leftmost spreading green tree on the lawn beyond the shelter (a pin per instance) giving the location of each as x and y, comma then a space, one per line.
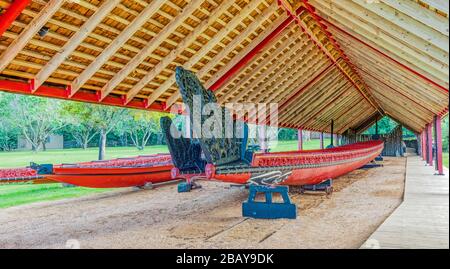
36, 118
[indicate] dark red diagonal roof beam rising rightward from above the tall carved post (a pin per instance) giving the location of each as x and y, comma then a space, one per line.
244, 61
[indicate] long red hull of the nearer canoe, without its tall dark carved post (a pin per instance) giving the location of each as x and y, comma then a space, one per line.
299, 167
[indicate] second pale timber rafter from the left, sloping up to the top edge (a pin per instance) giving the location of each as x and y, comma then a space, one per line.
74, 42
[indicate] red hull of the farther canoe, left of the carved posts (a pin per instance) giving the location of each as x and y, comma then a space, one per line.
117, 173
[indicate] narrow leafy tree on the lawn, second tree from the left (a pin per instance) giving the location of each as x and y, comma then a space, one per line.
82, 125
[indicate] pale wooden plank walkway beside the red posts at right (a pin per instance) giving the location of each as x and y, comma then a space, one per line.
422, 220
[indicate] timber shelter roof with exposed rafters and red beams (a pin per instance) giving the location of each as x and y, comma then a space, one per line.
351, 61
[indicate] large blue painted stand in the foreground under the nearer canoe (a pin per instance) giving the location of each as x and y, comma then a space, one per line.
268, 209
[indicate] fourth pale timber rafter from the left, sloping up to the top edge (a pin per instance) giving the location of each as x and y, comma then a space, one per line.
150, 47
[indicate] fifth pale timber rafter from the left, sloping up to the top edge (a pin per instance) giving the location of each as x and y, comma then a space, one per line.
203, 26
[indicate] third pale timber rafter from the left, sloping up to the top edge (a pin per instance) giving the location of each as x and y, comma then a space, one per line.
118, 42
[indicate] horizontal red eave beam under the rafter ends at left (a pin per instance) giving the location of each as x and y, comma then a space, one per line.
61, 93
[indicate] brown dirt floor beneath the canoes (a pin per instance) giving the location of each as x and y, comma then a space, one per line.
209, 217
